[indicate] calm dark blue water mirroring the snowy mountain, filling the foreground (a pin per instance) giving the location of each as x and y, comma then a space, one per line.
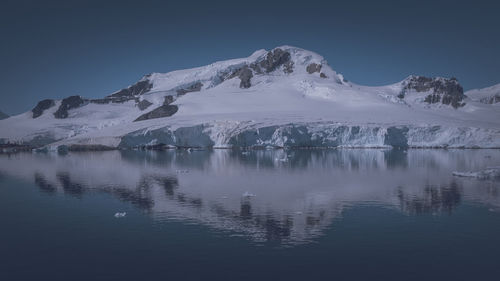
257, 215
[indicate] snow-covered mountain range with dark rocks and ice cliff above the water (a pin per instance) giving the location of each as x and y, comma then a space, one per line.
285, 97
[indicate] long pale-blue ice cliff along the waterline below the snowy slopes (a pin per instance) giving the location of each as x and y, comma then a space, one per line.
321, 135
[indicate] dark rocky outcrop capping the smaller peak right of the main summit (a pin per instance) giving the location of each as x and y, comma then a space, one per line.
441, 90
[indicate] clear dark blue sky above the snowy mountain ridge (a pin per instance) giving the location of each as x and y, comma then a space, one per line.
53, 49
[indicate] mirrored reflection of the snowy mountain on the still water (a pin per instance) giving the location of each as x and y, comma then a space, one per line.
282, 196
